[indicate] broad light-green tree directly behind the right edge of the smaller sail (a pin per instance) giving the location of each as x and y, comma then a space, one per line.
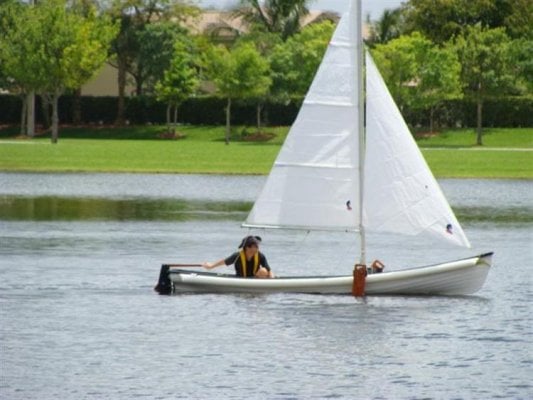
418, 73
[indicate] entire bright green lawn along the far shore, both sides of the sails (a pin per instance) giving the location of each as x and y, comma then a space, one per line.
507, 153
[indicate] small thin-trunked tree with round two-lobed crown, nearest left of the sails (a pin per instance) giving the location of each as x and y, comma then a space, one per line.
239, 73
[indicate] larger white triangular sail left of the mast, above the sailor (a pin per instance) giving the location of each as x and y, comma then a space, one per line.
314, 181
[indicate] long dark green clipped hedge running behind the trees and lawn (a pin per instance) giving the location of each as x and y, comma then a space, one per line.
505, 112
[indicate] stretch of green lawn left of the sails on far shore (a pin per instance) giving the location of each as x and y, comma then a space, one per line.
139, 149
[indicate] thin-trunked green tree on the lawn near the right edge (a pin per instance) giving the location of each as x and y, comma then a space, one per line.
486, 72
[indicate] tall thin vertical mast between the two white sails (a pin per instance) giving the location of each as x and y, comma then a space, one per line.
361, 117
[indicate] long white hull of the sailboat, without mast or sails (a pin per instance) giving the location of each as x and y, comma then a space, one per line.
460, 277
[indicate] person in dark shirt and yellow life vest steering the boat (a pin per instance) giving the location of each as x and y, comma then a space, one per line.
248, 261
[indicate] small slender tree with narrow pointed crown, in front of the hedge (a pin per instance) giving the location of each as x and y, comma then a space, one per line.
179, 81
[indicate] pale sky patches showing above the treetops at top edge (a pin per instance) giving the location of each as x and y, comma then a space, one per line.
374, 7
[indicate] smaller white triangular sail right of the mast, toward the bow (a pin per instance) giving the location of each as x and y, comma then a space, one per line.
401, 194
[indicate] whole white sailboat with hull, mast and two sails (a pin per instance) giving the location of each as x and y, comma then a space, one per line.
336, 172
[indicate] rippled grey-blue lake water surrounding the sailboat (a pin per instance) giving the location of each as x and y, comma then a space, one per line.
80, 254
